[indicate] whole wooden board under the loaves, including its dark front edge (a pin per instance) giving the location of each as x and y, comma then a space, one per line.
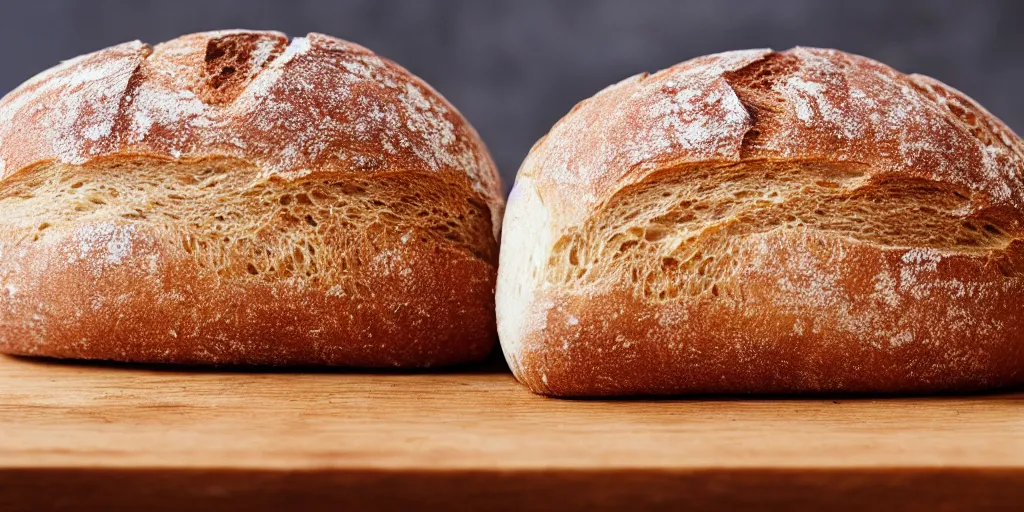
110, 437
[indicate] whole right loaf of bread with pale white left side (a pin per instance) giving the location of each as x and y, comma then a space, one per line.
767, 223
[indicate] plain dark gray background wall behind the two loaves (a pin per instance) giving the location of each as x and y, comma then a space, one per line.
516, 67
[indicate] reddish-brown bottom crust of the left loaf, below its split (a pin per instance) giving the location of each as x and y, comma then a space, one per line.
132, 296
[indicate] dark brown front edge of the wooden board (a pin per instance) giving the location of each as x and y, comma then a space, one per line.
226, 490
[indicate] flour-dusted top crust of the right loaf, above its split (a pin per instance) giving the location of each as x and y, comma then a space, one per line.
801, 105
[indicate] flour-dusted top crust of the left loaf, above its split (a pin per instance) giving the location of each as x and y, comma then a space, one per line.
314, 105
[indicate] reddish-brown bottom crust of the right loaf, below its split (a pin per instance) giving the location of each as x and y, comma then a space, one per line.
813, 315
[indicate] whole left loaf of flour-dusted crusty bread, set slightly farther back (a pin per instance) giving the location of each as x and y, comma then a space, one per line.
239, 198
